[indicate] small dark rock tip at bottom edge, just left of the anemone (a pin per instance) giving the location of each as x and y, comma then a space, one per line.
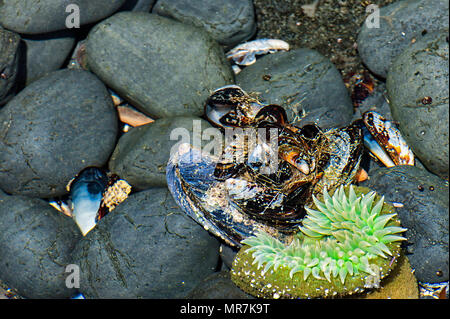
218, 286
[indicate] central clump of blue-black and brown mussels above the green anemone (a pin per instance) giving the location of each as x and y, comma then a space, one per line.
233, 194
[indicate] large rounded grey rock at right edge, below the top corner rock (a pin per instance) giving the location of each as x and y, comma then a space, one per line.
418, 89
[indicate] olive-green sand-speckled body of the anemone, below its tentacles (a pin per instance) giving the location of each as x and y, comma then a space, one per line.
280, 284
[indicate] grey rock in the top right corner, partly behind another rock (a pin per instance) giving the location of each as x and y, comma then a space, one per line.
401, 23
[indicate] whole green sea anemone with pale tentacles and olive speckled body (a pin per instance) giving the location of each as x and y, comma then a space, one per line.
349, 241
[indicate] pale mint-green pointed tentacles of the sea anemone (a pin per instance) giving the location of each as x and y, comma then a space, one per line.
343, 235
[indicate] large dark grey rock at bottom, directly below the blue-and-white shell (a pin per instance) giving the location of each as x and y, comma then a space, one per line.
145, 248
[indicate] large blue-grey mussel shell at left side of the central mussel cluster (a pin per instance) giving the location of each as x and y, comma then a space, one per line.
191, 180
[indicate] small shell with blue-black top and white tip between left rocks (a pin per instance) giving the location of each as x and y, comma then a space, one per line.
86, 192
